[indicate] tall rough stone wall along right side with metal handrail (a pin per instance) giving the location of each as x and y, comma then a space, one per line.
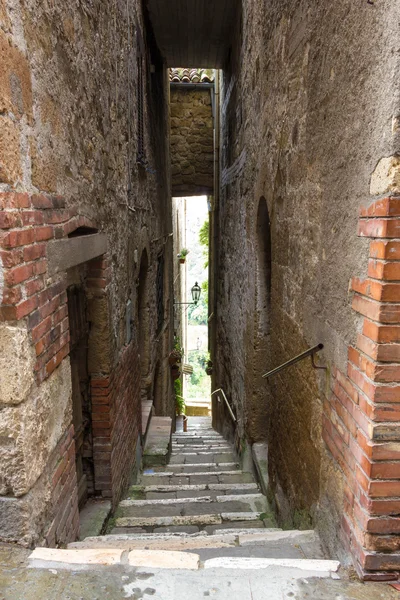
309, 108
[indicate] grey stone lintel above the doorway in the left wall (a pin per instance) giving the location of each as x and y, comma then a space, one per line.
67, 253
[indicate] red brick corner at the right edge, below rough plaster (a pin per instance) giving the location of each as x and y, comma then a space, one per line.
362, 417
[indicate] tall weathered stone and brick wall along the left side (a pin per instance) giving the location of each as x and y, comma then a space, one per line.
68, 147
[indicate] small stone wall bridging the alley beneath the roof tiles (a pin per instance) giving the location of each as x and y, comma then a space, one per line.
192, 141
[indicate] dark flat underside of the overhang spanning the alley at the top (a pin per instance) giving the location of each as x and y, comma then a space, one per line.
193, 33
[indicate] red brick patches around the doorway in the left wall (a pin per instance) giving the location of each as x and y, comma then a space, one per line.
27, 223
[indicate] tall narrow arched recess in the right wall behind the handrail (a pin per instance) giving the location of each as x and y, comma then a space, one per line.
257, 406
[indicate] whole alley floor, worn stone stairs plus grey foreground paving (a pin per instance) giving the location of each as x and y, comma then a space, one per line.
199, 526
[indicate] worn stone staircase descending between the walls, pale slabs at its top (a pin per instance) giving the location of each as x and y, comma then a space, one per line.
199, 512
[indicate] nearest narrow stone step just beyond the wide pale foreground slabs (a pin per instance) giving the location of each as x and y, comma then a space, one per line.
199, 520
